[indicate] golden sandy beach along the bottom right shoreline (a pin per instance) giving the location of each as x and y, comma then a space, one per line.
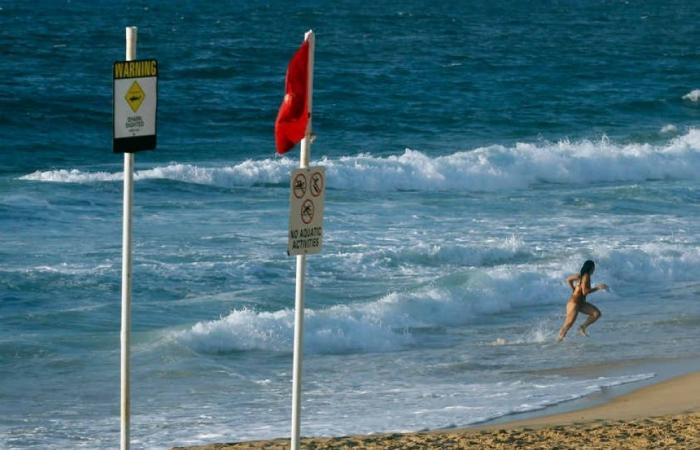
664, 415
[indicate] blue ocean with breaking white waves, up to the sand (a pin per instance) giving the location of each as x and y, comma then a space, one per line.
476, 154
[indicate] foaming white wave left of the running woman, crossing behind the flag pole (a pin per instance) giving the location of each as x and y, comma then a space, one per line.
386, 324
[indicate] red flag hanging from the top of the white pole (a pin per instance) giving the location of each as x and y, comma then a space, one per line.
293, 116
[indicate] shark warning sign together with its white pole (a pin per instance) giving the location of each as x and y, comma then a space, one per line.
134, 128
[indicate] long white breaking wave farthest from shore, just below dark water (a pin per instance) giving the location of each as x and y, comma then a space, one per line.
483, 169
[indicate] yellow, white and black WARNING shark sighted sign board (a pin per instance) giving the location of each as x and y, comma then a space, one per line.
135, 99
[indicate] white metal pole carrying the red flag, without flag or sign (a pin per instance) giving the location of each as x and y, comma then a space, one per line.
301, 268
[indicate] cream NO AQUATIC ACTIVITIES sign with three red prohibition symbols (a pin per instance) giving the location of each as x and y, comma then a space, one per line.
306, 211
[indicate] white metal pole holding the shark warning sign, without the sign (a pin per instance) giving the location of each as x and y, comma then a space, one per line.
126, 270
